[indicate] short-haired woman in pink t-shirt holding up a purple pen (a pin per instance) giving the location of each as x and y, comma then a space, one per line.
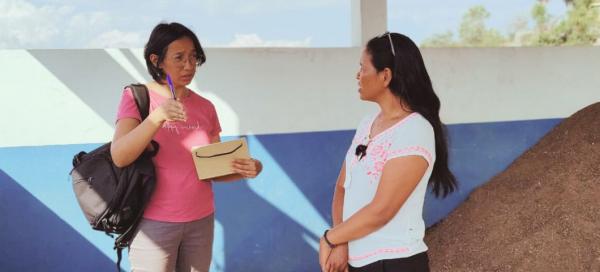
176, 231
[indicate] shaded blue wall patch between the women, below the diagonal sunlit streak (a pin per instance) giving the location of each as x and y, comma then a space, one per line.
259, 237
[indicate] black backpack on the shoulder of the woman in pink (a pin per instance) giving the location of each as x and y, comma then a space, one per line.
113, 199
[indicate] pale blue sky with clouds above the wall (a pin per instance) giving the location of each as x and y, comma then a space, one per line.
35, 24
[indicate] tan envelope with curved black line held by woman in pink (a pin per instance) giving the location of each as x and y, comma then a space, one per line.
214, 160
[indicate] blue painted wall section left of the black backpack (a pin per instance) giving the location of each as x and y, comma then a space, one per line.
37, 195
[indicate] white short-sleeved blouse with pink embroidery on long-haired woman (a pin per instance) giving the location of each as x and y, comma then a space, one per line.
403, 235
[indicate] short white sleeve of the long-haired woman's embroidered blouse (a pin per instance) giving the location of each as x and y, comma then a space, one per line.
417, 139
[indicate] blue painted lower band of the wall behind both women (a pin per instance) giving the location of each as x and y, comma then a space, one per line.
271, 223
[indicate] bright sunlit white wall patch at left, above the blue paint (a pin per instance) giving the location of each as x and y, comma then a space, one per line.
38, 109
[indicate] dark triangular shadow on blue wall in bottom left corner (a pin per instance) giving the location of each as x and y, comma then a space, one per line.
34, 238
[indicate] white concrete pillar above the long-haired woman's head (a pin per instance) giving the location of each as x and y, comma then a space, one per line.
369, 19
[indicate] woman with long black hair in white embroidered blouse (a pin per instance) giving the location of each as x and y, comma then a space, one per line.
377, 206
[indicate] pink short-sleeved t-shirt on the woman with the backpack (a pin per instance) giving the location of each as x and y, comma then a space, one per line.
179, 195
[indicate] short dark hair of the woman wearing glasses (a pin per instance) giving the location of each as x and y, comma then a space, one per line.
162, 35
